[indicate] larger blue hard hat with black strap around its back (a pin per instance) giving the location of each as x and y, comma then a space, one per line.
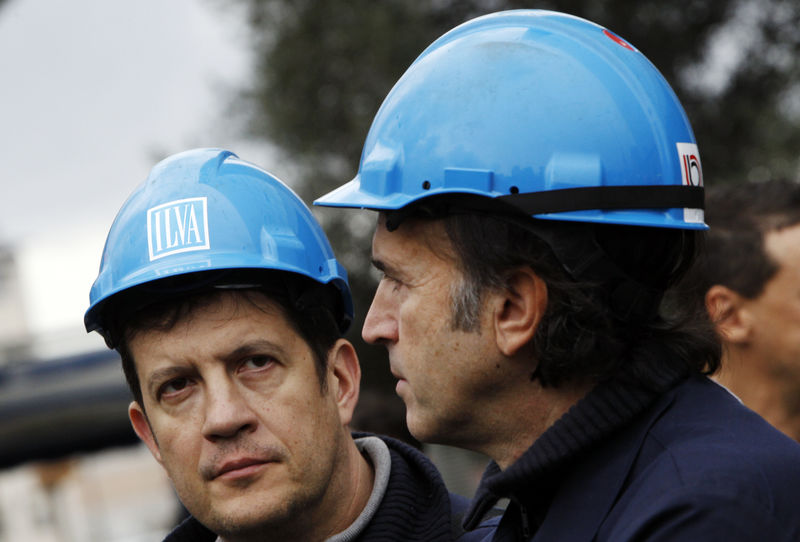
549, 113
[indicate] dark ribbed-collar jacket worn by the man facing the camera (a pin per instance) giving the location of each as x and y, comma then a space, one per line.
415, 508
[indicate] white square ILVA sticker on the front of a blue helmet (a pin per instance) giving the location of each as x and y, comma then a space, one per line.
177, 226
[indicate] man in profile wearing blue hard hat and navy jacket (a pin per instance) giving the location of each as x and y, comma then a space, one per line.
539, 188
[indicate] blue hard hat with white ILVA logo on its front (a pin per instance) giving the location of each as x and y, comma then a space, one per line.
207, 210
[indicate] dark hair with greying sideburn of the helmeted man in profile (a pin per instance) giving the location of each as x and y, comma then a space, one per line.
597, 323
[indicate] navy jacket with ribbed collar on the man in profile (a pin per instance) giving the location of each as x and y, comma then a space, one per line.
692, 464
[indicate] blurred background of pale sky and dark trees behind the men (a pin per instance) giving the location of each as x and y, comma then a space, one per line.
93, 93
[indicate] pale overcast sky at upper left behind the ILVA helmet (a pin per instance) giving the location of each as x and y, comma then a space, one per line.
92, 93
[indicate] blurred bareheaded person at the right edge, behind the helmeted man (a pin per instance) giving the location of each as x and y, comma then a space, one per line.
748, 279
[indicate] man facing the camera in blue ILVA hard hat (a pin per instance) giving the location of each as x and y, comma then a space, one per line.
223, 297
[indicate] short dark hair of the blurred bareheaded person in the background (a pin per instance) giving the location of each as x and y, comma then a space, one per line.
739, 216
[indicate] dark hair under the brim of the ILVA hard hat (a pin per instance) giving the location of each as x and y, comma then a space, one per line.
308, 306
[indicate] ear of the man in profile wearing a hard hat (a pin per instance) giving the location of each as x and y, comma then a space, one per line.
518, 309
